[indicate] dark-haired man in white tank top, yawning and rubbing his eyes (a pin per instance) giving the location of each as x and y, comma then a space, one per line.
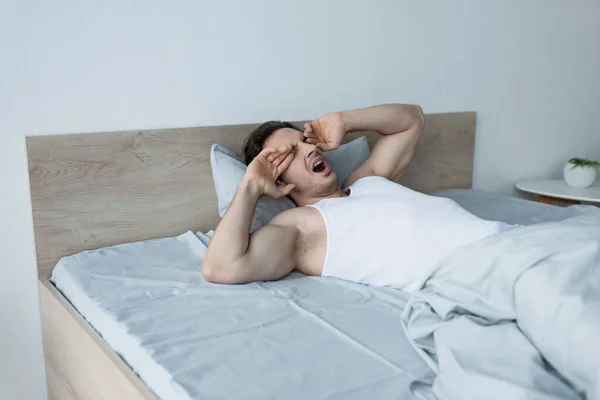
375, 231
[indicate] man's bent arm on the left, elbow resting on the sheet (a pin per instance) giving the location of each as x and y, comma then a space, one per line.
235, 256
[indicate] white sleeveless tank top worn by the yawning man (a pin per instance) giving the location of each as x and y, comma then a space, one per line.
388, 235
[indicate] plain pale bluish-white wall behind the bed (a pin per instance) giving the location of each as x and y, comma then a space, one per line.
529, 68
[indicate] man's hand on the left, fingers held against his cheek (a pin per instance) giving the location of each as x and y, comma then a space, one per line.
264, 170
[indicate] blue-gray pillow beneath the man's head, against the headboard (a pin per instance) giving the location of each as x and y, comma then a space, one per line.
228, 171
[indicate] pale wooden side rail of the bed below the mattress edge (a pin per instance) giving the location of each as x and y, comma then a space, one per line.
79, 363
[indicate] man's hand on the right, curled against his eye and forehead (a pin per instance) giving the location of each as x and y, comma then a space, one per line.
327, 132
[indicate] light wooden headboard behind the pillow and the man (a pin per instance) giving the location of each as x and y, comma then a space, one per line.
99, 189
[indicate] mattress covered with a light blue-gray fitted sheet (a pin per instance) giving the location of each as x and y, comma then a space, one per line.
298, 338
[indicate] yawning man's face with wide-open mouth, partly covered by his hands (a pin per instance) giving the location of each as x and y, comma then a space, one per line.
309, 170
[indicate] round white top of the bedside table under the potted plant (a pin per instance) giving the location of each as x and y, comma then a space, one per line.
557, 190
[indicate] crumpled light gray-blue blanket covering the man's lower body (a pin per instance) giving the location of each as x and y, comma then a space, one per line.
515, 316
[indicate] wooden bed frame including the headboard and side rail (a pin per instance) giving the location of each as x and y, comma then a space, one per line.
100, 189
